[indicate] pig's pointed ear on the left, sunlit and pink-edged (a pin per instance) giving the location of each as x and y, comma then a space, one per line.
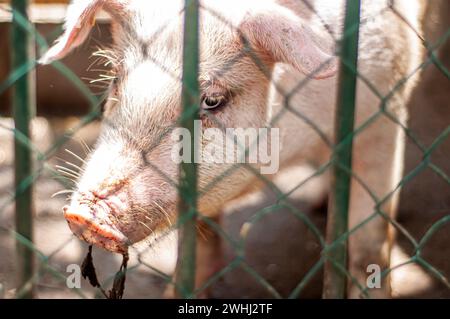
79, 22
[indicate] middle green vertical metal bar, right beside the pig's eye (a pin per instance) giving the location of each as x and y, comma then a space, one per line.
185, 275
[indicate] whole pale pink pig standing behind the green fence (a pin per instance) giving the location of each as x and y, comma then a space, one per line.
253, 55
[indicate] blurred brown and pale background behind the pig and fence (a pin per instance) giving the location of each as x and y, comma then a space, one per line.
280, 248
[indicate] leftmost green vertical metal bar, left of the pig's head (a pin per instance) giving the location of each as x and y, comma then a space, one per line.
23, 110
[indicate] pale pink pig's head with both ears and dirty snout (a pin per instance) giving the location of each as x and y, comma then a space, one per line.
127, 190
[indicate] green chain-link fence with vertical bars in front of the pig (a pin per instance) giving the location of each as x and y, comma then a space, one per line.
32, 265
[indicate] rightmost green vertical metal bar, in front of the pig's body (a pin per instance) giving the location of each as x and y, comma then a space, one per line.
335, 280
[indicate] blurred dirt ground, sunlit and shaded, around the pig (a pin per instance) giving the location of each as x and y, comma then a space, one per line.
280, 248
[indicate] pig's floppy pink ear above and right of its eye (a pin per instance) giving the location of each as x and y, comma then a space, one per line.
284, 37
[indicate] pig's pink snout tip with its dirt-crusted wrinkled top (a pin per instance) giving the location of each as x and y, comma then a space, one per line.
91, 221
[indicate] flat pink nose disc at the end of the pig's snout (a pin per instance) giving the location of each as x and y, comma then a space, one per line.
94, 231
